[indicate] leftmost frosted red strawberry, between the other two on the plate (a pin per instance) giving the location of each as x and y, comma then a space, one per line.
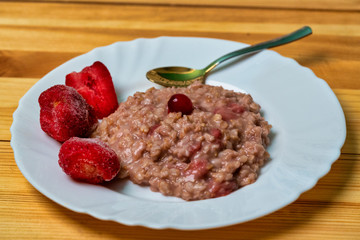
64, 113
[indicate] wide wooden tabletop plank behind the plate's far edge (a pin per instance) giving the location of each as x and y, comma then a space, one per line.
58, 32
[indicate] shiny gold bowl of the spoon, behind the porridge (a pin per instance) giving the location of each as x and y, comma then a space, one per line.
175, 76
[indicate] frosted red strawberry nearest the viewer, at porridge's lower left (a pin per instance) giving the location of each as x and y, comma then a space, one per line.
88, 160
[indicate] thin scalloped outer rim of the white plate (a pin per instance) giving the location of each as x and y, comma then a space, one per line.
27, 175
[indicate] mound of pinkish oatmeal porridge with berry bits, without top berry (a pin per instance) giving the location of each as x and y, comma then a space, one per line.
217, 148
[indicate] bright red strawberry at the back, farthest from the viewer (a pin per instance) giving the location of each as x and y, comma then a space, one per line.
95, 84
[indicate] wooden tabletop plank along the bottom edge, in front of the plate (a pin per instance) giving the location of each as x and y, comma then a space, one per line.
316, 221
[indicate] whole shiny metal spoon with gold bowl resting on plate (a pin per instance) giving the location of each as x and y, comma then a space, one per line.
183, 76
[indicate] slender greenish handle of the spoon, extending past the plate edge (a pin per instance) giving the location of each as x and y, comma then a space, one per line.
300, 33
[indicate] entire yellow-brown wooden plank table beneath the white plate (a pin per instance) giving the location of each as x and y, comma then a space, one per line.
37, 36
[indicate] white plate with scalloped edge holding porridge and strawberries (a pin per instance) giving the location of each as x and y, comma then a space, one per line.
308, 133
